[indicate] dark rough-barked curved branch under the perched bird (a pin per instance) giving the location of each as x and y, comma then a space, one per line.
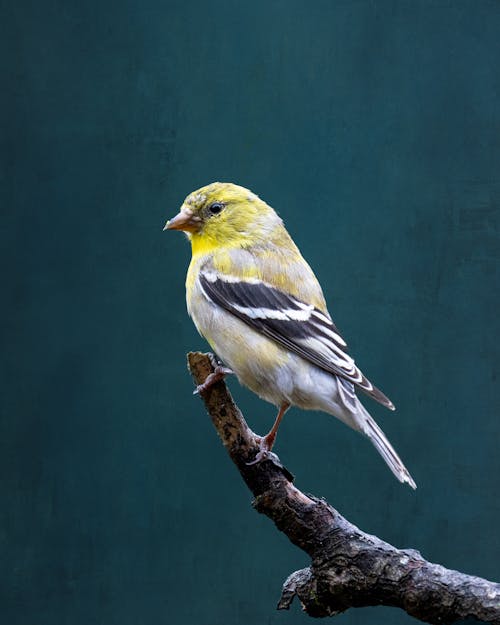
348, 567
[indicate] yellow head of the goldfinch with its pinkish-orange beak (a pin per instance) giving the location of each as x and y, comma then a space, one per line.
224, 214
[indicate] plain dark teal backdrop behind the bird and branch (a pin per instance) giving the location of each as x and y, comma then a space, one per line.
374, 129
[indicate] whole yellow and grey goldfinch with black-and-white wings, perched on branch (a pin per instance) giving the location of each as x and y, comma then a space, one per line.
255, 299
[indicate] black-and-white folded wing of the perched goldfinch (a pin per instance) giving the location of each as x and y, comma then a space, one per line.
295, 325
